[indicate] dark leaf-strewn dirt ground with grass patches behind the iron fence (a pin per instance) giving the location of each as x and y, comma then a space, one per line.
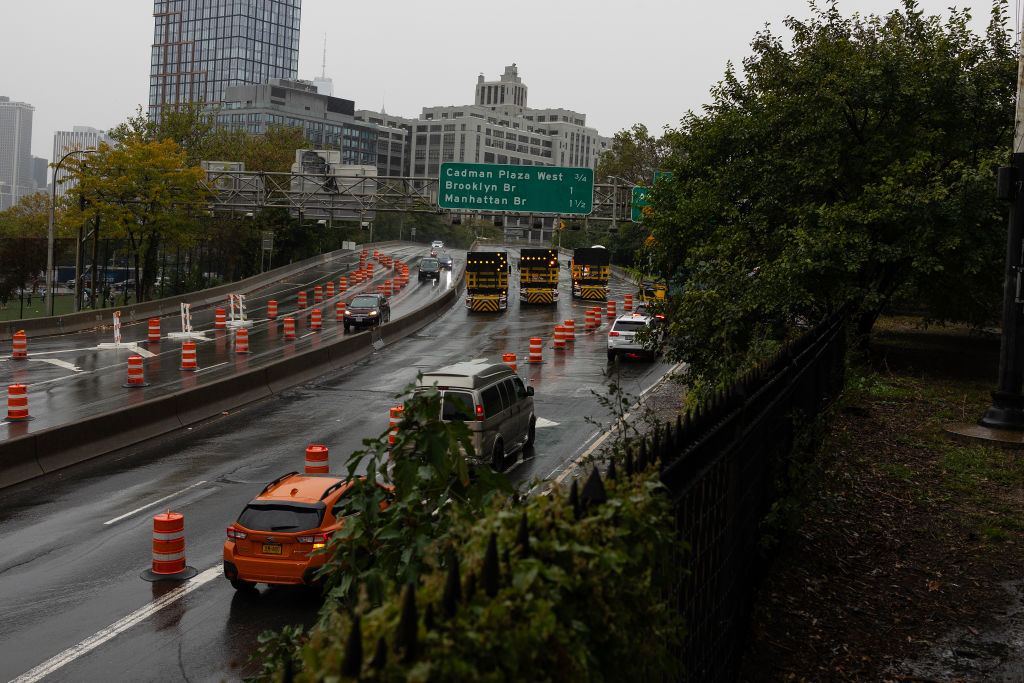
905, 560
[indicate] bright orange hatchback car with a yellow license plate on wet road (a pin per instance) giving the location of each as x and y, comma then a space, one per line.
274, 540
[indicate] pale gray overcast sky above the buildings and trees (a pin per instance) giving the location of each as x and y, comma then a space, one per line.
620, 63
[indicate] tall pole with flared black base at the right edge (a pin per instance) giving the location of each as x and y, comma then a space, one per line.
1007, 411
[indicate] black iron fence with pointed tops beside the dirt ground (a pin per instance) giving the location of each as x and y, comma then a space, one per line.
722, 466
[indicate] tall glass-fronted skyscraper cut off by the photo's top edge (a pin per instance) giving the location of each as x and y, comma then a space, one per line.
200, 48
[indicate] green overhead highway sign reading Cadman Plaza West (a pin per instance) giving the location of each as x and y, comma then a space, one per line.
495, 188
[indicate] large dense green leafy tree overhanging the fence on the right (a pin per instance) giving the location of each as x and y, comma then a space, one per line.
851, 167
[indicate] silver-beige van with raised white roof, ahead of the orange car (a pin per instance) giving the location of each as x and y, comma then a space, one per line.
493, 402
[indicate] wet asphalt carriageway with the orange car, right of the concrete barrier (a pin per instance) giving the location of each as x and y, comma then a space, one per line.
77, 541
